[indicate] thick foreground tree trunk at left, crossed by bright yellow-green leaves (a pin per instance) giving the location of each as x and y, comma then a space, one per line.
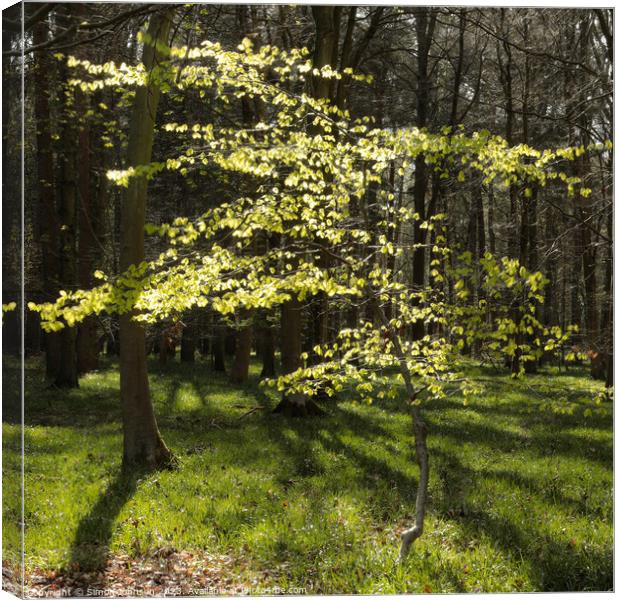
143, 445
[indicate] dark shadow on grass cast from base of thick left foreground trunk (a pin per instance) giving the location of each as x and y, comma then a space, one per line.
90, 547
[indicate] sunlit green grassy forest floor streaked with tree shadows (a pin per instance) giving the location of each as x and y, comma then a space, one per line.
521, 493
